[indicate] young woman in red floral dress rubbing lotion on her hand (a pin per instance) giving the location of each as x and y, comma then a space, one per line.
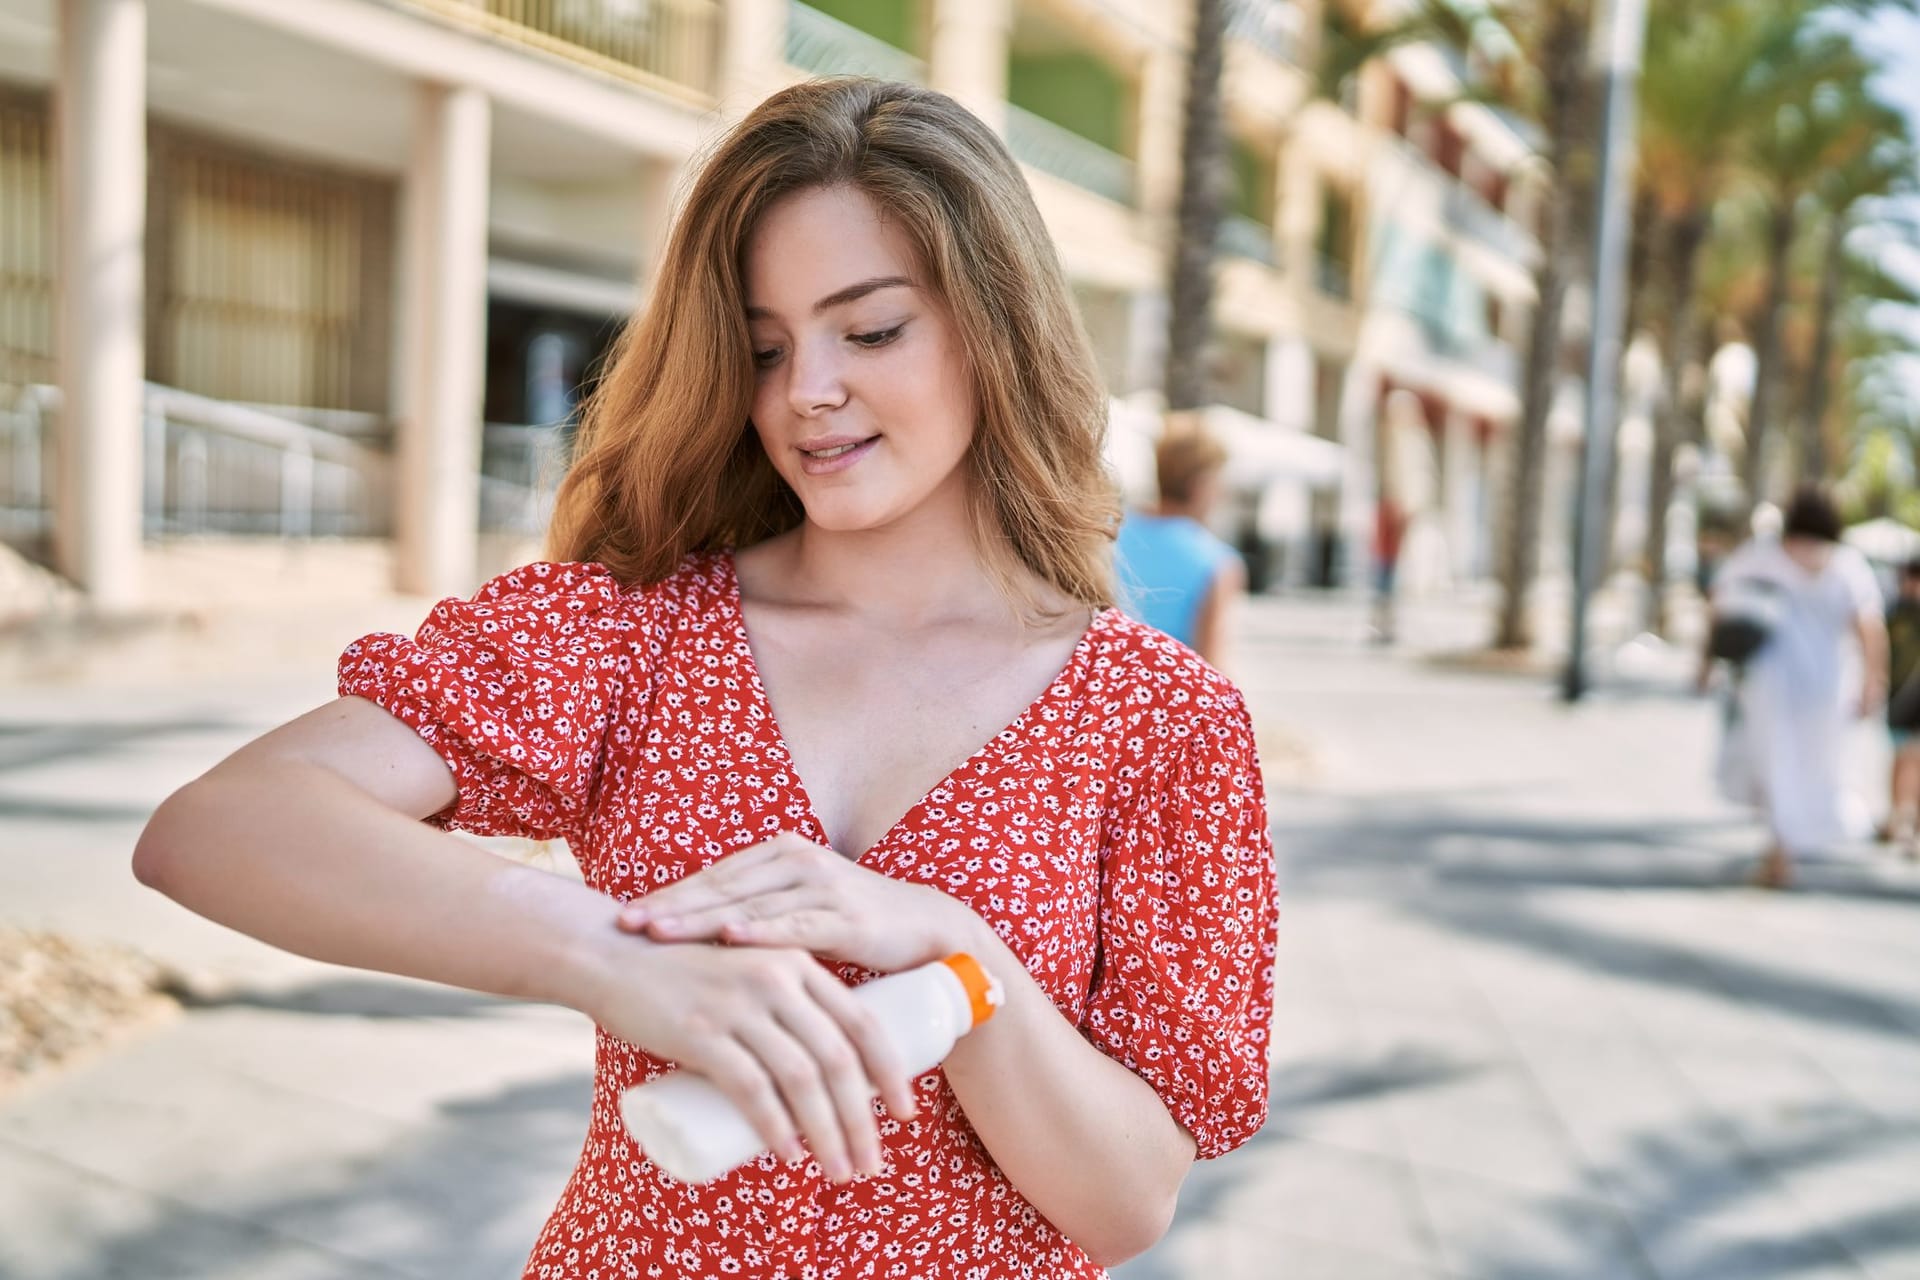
825, 684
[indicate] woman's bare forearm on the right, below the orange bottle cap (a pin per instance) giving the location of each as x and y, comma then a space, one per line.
1082, 1137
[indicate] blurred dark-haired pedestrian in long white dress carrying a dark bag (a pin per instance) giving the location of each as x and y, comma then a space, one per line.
1819, 661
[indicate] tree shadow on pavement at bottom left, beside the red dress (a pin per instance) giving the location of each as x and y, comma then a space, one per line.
462, 1198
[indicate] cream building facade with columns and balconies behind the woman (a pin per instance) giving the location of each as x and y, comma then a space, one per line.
341, 268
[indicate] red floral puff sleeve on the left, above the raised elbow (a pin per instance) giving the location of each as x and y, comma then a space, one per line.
516, 690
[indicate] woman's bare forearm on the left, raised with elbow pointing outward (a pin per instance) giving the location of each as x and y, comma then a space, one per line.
302, 859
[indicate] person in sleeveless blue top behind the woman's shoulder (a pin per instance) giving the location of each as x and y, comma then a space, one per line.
1174, 573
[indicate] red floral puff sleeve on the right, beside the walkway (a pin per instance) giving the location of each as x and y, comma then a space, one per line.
1184, 984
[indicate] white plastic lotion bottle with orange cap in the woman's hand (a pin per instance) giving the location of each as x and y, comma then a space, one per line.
696, 1133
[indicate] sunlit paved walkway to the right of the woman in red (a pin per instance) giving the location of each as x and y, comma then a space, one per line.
1529, 1026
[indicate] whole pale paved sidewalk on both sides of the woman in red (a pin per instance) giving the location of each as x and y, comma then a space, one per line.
1525, 1030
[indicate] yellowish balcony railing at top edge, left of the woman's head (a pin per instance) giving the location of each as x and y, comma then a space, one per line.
667, 45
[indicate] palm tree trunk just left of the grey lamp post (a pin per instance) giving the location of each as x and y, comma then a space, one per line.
1570, 131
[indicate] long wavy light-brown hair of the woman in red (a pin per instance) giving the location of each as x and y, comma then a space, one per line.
667, 460
